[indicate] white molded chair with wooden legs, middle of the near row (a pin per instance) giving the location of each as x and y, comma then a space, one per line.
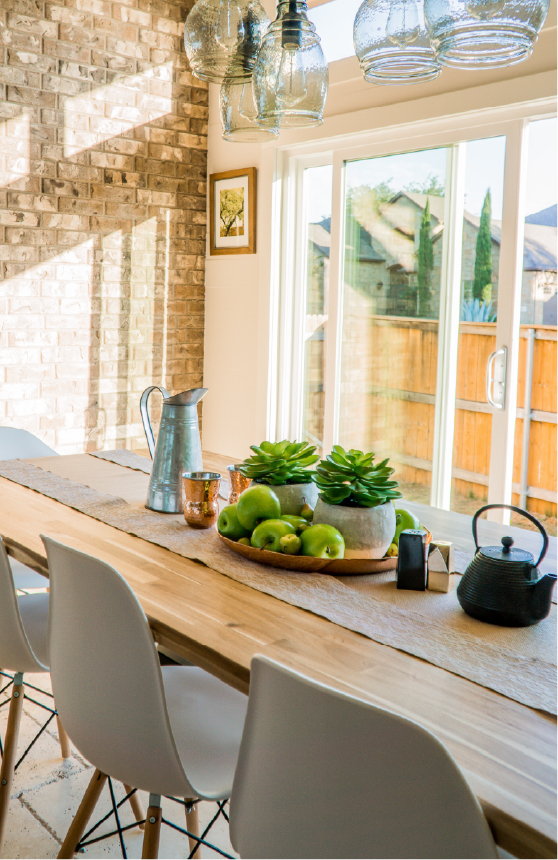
171, 731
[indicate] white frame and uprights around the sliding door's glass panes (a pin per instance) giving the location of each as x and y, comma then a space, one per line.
452, 132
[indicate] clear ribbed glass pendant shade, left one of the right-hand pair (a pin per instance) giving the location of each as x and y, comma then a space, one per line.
392, 44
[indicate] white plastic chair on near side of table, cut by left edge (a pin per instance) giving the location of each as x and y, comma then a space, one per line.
23, 648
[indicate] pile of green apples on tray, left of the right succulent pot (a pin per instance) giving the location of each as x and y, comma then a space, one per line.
256, 520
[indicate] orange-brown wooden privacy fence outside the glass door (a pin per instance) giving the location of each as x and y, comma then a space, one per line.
388, 396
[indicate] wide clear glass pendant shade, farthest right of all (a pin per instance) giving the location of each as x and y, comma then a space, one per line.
480, 34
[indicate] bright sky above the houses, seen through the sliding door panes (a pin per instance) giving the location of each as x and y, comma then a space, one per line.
484, 169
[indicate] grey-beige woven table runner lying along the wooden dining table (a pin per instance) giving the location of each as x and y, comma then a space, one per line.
517, 662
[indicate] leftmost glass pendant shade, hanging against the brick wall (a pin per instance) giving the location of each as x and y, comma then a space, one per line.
222, 38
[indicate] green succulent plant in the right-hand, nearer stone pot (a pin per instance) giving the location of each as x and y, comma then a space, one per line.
350, 478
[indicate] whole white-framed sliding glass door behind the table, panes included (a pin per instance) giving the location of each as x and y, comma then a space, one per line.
411, 286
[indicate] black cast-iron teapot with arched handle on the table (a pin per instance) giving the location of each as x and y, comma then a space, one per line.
501, 585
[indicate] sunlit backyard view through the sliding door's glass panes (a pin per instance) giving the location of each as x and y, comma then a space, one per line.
396, 232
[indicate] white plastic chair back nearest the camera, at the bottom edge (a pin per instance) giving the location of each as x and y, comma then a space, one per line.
321, 774
